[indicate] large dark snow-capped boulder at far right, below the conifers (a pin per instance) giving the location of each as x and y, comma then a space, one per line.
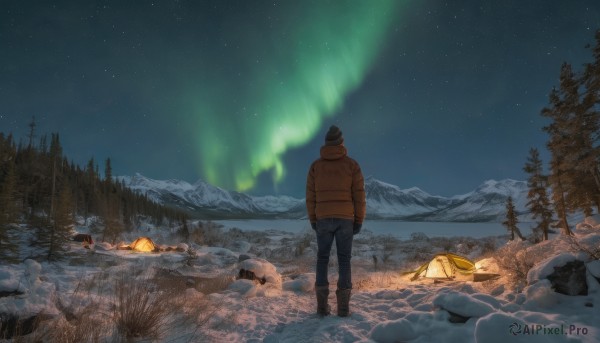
569, 279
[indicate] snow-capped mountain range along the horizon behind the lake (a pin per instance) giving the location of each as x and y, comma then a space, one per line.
487, 203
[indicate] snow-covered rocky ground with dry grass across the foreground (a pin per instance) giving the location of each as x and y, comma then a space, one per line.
198, 298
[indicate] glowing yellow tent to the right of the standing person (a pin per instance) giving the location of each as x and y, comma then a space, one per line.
445, 266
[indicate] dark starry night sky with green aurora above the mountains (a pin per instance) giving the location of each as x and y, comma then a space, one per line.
433, 94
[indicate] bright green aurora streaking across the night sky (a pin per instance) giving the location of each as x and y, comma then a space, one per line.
301, 67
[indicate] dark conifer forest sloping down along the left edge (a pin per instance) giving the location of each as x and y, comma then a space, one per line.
41, 191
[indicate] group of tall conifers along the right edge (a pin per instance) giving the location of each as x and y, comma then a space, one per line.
572, 183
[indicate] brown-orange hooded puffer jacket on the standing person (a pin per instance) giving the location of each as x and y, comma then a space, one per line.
335, 187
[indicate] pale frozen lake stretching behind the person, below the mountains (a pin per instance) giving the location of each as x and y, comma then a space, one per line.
399, 229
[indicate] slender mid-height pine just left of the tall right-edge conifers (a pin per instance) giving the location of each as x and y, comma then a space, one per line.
538, 203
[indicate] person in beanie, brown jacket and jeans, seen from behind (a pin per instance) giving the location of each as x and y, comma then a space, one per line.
336, 206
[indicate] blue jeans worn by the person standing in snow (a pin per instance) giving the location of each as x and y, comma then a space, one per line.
341, 230
